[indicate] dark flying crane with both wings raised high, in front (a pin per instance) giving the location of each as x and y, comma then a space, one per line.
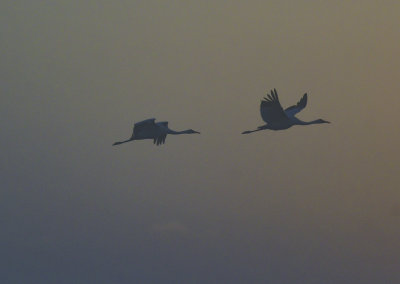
277, 118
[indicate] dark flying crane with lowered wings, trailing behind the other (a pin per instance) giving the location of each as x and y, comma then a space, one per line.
148, 129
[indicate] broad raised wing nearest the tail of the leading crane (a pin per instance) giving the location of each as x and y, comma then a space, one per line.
271, 109
